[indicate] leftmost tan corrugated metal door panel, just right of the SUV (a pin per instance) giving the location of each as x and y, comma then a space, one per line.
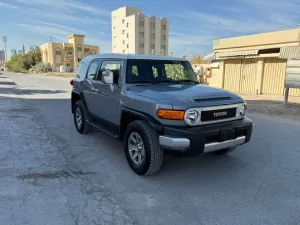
232, 75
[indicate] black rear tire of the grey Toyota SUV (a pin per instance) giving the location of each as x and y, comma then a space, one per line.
84, 127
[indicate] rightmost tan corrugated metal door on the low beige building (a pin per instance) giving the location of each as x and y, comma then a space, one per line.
274, 76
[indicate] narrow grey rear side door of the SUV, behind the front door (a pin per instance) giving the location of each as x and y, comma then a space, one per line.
90, 87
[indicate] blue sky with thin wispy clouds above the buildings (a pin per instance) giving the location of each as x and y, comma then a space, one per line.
194, 24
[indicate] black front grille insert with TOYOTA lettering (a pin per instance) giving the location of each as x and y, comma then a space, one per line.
220, 114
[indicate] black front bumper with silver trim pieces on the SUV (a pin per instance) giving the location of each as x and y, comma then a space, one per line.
207, 138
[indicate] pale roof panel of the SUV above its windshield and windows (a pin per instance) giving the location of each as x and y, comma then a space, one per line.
132, 56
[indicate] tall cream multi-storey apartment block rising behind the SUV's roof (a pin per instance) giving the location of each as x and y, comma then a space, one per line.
136, 33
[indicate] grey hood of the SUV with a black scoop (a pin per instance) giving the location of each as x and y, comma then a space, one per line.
188, 93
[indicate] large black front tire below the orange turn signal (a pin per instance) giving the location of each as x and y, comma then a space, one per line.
153, 153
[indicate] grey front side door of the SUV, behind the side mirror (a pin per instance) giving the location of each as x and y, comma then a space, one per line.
108, 105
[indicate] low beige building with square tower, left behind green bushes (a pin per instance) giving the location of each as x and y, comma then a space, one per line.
67, 54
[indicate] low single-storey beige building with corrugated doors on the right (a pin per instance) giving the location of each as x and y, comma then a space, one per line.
251, 64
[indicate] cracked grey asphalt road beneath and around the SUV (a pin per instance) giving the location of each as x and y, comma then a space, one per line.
50, 174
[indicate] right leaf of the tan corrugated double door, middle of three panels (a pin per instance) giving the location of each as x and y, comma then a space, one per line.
248, 76
